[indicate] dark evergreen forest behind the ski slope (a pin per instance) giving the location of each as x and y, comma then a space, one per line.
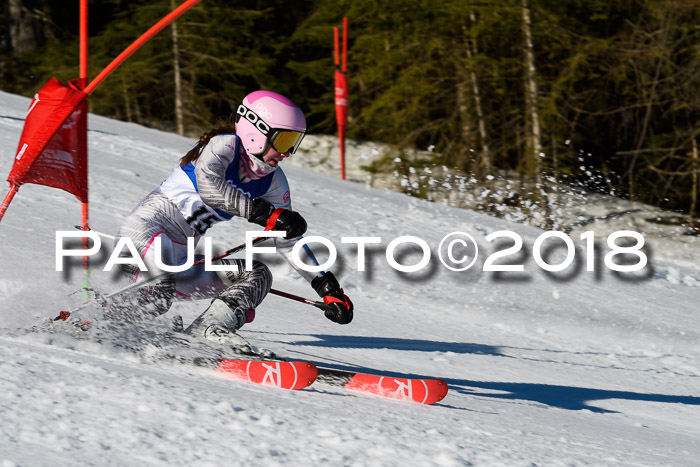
534, 87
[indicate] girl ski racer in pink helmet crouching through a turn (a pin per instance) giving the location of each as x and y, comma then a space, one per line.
231, 172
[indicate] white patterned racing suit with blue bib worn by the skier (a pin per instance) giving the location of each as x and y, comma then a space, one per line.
185, 205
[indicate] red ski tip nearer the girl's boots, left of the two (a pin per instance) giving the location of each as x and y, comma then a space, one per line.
283, 375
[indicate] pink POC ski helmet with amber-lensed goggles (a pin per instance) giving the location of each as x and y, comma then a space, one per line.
267, 117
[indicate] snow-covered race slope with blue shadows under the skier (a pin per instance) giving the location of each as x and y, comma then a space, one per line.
565, 368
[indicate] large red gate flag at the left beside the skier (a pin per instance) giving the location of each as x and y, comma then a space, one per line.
52, 150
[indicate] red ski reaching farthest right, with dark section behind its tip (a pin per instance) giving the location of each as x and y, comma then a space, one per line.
423, 391
